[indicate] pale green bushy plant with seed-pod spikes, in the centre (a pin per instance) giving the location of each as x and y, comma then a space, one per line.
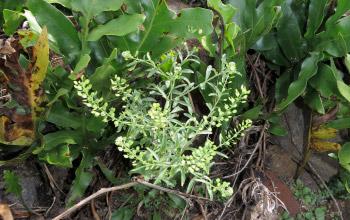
158, 125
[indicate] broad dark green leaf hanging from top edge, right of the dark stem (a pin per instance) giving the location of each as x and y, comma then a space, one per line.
289, 34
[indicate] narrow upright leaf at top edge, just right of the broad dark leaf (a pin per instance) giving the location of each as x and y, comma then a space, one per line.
317, 12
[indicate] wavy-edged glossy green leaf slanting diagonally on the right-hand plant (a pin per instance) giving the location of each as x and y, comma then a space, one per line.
308, 69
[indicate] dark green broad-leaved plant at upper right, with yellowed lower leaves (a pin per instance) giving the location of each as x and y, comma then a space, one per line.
309, 59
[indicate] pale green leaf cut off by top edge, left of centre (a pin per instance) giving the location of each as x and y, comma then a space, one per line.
91, 8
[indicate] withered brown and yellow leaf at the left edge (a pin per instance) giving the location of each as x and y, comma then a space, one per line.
16, 127
